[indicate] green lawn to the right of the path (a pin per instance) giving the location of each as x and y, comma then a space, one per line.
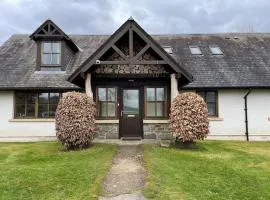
216, 170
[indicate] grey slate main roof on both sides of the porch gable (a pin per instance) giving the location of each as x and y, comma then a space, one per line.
245, 63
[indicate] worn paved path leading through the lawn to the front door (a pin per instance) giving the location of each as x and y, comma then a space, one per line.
126, 178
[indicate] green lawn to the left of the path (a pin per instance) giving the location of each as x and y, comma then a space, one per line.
43, 171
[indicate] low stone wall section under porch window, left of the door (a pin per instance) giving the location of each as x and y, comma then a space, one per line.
107, 131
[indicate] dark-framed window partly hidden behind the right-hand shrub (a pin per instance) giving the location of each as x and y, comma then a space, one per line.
210, 97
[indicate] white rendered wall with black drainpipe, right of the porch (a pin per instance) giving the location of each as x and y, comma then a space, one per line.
231, 121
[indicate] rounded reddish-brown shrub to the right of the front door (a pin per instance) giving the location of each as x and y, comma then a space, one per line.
189, 117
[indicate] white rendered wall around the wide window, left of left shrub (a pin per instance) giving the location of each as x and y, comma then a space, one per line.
10, 128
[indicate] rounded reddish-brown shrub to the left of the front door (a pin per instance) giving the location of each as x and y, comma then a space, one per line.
75, 120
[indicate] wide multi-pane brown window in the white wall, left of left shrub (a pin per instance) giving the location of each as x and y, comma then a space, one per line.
36, 105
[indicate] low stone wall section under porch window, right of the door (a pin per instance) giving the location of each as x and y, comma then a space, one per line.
156, 131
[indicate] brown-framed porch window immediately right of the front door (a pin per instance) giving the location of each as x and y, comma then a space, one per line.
155, 102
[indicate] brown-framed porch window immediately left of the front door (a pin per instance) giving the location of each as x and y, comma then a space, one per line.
106, 101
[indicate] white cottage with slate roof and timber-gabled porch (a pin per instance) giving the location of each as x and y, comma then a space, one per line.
133, 77
